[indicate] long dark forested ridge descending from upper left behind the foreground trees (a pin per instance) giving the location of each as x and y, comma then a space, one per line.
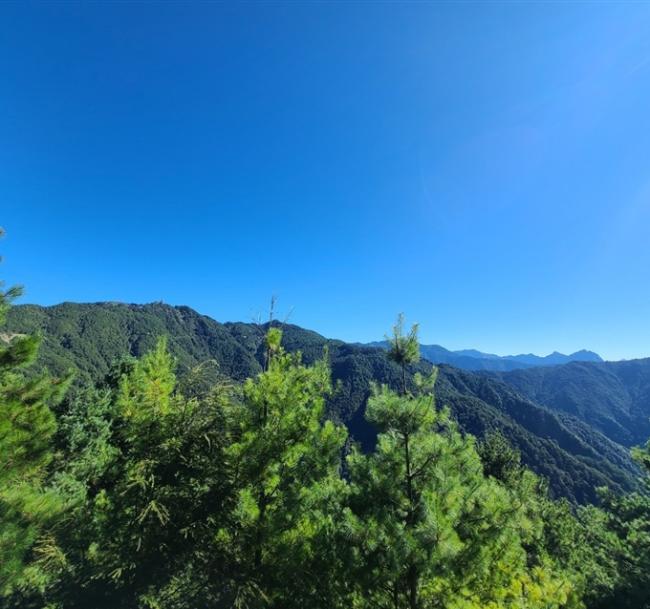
91, 338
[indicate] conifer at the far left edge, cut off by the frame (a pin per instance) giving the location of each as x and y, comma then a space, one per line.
26, 428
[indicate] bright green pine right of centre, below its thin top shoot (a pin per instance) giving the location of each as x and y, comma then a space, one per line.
430, 529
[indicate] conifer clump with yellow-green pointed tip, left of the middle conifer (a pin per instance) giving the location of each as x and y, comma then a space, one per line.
145, 465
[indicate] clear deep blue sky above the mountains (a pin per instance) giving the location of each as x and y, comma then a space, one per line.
484, 168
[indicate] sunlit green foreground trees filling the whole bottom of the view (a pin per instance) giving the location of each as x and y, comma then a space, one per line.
147, 491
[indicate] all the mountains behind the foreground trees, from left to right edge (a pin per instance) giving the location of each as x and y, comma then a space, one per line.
572, 423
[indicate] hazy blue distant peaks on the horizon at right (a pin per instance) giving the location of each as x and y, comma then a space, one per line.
471, 359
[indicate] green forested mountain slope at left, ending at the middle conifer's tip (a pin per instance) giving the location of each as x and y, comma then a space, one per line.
91, 337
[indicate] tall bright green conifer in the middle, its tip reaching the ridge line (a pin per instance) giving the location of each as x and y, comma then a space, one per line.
285, 461
